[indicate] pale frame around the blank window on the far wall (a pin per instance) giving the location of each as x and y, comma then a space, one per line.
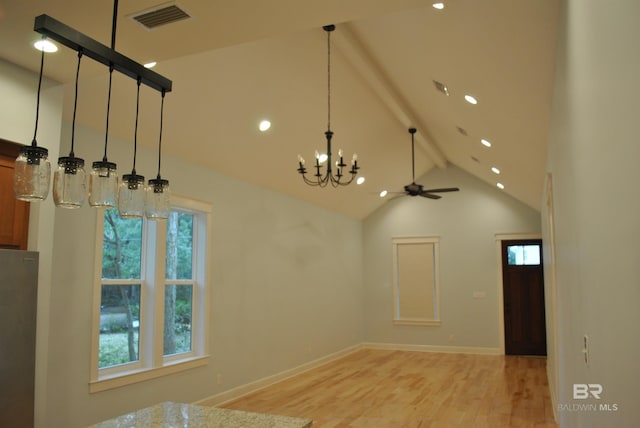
434, 288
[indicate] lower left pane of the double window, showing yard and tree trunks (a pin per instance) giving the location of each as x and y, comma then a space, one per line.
119, 325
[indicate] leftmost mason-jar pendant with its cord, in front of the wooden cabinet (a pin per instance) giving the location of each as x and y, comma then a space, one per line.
32, 173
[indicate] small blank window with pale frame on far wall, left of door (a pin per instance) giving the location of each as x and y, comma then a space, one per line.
416, 281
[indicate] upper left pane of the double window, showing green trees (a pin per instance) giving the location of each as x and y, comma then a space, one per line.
122, 246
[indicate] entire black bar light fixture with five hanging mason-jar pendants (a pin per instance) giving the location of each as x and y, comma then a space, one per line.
32, 173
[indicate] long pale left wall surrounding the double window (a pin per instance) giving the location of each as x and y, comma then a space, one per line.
286, 276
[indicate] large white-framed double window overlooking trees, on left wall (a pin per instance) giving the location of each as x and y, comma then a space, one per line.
150, 297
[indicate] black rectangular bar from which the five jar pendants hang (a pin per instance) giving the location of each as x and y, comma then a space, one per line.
77, 41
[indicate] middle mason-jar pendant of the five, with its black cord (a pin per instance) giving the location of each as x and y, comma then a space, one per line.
103, 179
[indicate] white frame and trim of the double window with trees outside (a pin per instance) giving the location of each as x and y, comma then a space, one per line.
152, 363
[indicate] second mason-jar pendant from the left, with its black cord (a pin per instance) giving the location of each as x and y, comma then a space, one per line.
69, 180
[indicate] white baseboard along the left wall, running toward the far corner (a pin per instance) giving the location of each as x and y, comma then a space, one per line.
241, 391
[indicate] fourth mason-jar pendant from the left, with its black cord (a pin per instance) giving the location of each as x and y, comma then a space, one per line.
131, 191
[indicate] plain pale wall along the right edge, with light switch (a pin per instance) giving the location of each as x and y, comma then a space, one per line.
593, 158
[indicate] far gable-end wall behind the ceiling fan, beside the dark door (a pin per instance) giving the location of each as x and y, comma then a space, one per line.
467, 223
